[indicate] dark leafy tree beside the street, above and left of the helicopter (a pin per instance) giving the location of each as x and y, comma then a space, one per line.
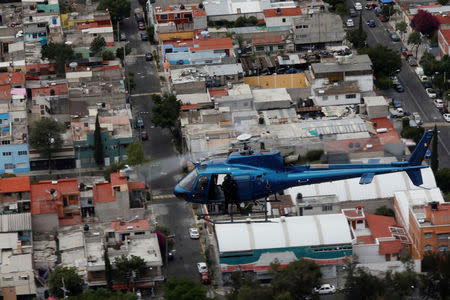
166, 111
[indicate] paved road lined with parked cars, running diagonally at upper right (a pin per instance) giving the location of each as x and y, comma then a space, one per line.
414, 97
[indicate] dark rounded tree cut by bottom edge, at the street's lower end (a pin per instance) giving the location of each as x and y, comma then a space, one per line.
183, 289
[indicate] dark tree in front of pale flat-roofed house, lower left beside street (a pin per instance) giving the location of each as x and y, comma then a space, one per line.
127, 269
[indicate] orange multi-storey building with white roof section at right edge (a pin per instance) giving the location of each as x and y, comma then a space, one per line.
425, 217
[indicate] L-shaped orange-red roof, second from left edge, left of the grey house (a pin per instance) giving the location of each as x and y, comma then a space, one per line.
42, 202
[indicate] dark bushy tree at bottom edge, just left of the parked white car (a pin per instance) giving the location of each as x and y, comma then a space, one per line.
298, 279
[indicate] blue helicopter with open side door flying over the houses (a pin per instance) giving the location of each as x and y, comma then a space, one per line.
263, 173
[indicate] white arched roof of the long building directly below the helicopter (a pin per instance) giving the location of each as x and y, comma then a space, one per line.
283, 232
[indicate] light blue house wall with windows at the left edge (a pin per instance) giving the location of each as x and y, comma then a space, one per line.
20, 162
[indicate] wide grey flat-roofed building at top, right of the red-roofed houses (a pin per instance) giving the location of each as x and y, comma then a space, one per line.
317, 30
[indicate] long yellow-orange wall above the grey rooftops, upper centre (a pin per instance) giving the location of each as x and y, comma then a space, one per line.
278, 81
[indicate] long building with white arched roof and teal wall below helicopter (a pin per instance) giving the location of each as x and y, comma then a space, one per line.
252, 246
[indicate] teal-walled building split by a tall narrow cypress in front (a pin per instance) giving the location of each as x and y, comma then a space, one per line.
116, 135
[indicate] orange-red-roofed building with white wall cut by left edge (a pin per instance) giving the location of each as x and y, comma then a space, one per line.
15, 195
